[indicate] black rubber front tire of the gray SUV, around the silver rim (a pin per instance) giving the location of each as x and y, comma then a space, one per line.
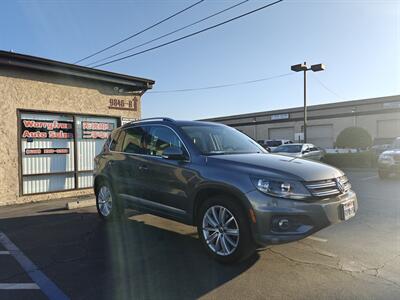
245, 247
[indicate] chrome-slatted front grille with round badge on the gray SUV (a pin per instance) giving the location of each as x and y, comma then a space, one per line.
329, 187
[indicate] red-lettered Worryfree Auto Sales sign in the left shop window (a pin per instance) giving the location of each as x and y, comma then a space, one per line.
46, 129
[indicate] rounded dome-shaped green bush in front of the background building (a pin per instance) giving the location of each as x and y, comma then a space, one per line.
354, 137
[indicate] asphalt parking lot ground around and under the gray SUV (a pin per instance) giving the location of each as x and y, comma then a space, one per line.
72, 254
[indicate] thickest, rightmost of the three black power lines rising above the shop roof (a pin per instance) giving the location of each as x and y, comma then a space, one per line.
189, 35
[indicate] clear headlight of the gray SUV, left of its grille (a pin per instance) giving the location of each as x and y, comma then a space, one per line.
282, 188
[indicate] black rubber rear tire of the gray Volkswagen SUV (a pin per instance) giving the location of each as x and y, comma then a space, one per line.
117, 210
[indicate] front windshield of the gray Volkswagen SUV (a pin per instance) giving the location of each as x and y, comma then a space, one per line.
217, 139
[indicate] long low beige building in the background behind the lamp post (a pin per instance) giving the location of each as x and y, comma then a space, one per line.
379, 116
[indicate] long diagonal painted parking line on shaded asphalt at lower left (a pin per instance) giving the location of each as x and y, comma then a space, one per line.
41, 280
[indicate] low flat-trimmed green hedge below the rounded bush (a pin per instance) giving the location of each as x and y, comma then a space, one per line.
366, 159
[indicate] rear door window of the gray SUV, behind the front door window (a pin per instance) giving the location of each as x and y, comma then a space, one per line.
136, 141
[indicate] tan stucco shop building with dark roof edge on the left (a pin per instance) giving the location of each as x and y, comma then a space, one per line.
54, 120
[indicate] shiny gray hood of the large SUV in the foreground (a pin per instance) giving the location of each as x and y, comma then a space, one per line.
277, 166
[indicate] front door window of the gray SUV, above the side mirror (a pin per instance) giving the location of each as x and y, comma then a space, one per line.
161, 138
